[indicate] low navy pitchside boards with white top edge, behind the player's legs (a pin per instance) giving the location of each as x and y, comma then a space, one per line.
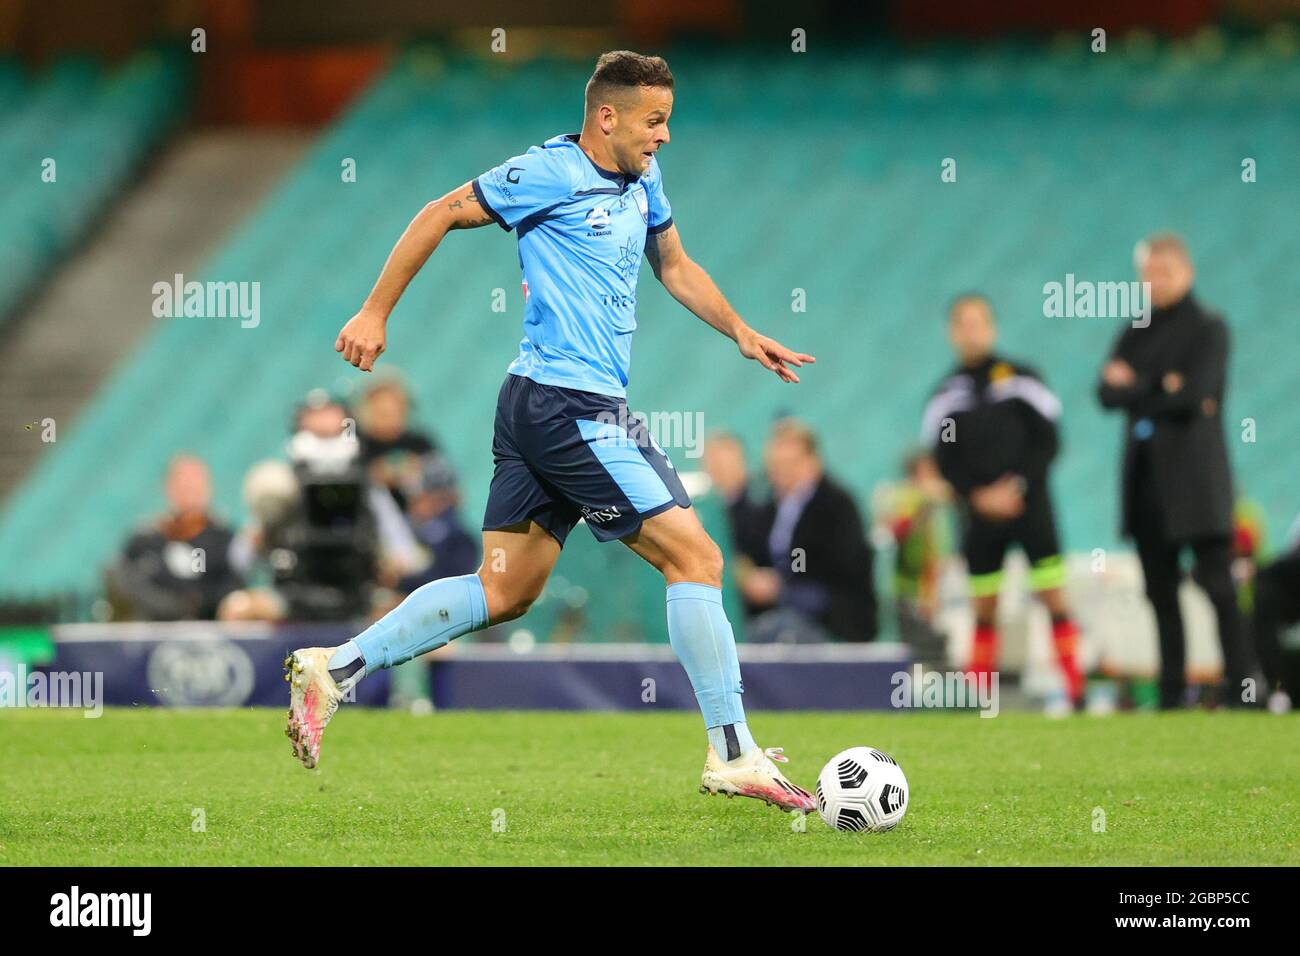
194, 665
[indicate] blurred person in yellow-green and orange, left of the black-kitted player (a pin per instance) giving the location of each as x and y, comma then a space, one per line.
916, 513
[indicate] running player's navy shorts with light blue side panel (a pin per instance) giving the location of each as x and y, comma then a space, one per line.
565, 456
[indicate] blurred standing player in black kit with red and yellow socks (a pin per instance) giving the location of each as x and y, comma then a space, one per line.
993, 426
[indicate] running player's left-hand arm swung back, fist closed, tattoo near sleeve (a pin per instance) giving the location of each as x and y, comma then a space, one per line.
363, 338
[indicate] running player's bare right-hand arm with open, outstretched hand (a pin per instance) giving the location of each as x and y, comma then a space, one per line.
692, 287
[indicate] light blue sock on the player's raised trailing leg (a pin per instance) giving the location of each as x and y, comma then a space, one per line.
431, 616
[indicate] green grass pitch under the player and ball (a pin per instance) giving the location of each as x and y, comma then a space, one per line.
164, 788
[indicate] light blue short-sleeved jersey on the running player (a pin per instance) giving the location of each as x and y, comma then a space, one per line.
582, 235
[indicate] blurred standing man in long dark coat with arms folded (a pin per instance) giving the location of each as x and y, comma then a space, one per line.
1169, 379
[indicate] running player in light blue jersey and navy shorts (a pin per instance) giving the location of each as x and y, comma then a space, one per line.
584, 209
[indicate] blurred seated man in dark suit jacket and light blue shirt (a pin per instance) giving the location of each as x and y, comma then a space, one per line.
820, 577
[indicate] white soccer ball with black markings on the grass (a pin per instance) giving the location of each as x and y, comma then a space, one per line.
863, 790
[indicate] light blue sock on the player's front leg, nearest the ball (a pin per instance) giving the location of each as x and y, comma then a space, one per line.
703, 639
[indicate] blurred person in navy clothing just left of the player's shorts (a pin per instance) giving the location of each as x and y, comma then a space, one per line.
434, 512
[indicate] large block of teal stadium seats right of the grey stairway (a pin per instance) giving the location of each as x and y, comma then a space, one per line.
786, 172
